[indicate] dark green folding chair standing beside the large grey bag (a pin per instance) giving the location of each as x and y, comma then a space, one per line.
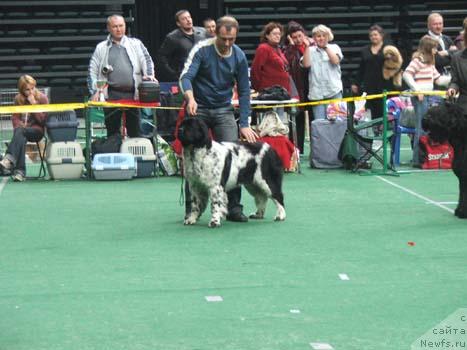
357, 146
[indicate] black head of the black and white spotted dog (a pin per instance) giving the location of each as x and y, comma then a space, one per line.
194, 132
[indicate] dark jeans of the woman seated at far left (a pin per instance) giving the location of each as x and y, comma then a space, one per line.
16, 151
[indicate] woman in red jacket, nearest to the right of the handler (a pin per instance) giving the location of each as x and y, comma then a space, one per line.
270, 67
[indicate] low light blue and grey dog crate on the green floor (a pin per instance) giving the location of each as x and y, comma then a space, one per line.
113, 166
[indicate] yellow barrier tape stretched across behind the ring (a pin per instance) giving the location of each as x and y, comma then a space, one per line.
67, 106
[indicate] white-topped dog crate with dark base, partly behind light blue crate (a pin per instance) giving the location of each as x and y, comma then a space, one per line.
143, 151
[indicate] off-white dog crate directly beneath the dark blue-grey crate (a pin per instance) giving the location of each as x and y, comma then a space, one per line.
65, 160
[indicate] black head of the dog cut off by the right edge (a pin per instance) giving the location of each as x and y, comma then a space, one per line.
445, 122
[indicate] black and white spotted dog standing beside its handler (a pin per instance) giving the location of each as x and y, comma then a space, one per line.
212, 169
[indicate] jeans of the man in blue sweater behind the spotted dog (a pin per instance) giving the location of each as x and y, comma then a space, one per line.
221, 121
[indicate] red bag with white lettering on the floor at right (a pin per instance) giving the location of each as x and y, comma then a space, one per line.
435, 155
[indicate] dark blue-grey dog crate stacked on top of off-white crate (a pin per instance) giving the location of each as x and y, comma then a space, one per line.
62, 126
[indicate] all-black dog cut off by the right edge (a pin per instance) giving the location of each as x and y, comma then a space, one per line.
448, 122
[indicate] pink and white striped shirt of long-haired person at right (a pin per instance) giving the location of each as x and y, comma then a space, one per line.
420, 76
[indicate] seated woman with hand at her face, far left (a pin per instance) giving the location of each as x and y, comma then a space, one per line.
27, 127
